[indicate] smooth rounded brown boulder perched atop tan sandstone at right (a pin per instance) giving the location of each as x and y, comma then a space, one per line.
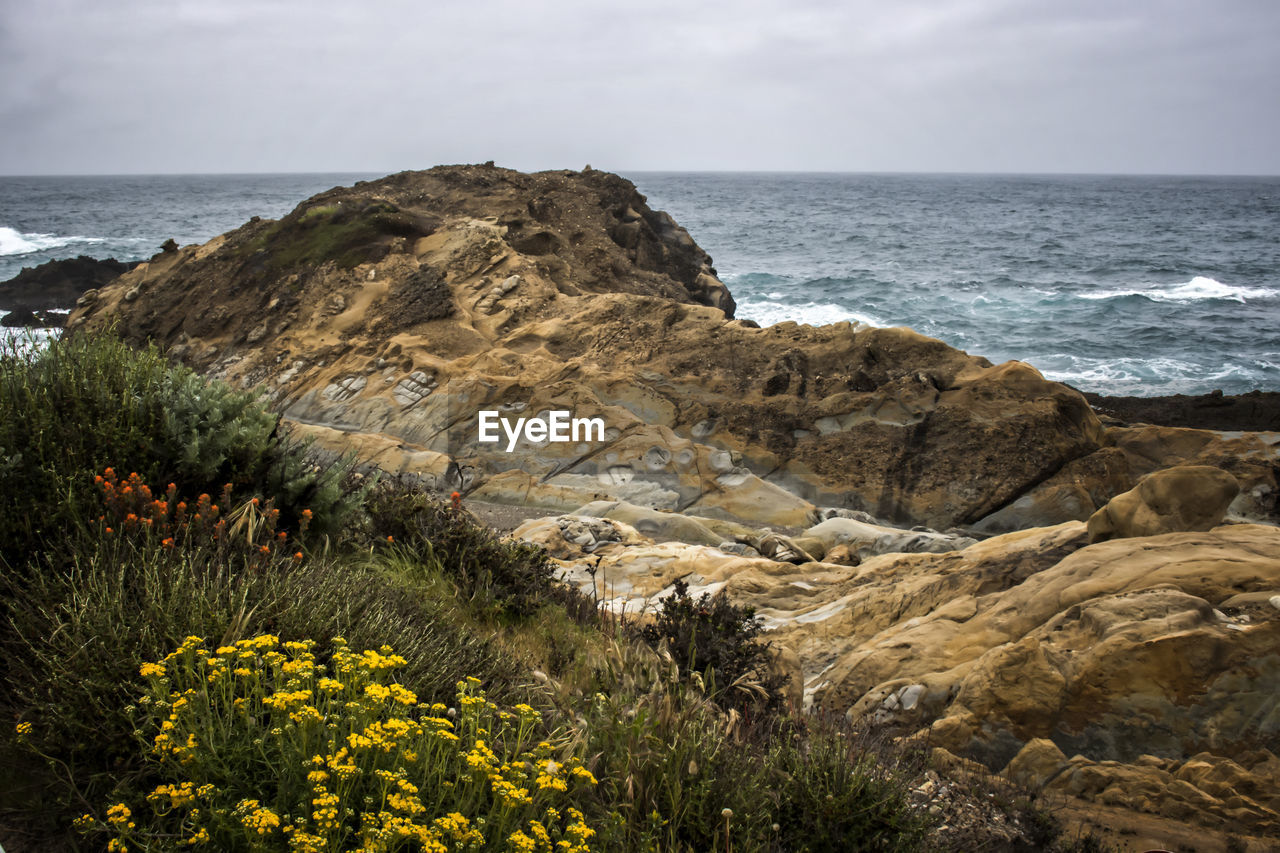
1187, 498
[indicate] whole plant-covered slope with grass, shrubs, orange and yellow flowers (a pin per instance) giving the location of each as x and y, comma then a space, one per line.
189, 655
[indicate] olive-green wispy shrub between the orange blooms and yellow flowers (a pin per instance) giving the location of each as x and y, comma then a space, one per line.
77, 632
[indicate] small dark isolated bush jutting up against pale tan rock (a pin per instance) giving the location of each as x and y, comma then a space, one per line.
717, 641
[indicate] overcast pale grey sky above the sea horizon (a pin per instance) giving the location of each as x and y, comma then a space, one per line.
1043, 86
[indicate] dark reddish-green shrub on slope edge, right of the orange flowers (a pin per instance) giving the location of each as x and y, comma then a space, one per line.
513, 578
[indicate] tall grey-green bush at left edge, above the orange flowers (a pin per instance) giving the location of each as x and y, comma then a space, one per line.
84, 403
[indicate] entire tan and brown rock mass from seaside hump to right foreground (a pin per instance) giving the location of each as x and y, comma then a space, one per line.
1135, 660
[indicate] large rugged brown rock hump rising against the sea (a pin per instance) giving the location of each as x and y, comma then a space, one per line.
386, 316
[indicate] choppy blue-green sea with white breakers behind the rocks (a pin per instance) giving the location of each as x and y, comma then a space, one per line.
1122, 285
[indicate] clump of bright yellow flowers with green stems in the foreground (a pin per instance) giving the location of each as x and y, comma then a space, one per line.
267, 746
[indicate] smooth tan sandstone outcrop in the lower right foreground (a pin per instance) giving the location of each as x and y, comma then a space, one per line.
1137, 658
